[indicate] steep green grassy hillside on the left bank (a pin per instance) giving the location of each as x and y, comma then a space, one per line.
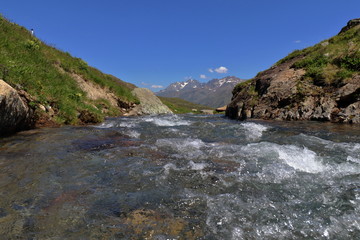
45, 73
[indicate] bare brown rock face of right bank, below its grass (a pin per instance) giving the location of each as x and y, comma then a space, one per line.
281, 93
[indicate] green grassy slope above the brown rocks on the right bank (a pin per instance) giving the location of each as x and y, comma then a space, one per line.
331, 62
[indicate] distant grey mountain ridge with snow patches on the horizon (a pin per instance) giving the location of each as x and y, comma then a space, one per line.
215, 93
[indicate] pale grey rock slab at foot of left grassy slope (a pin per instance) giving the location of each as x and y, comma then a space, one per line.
149, 104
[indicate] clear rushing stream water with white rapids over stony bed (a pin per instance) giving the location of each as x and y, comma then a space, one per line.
182, 177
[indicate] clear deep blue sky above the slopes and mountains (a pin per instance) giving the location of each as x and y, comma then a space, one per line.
153, 43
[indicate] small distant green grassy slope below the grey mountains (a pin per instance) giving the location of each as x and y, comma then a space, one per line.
178, 105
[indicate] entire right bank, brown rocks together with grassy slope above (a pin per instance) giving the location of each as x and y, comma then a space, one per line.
320, 83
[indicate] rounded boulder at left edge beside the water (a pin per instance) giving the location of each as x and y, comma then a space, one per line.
15, 114
